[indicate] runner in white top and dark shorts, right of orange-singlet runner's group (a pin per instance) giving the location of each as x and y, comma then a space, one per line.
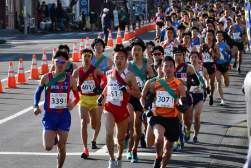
197, 92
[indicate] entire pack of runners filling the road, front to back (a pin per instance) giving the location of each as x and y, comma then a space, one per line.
161, 86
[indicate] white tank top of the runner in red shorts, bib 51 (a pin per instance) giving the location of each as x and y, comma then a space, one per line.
114, 95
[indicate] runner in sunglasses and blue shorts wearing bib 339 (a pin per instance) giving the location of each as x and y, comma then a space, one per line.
57, 116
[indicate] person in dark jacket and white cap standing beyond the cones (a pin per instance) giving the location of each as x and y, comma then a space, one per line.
106, 24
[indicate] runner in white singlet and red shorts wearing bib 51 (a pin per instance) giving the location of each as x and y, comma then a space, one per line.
116, 110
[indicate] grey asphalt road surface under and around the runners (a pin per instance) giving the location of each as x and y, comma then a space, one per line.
223, 137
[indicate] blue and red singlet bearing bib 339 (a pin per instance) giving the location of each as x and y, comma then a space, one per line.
57, 96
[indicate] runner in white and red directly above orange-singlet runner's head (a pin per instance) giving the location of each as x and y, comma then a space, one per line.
170, 42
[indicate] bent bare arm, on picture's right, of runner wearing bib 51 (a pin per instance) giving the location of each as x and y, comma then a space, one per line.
132, 80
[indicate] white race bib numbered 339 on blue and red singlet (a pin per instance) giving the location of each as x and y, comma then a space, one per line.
58, 100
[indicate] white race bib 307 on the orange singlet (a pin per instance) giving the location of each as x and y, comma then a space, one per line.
164, 99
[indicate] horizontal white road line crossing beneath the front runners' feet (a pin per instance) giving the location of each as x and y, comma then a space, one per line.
97, 154
